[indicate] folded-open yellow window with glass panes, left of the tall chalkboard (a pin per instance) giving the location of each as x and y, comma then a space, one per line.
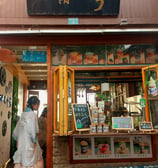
63, 99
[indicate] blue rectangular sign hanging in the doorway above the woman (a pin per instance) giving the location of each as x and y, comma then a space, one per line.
34, 56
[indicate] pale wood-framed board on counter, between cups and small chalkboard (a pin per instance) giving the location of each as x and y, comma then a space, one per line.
122, 123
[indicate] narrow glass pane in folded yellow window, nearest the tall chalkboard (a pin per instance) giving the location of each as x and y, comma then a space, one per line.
70, 118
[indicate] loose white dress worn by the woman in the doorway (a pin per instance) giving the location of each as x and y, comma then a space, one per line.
29, 153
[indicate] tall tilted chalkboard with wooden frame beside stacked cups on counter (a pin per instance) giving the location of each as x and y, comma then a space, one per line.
82, 116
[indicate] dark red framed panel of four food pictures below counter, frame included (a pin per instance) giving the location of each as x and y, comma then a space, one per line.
112, 148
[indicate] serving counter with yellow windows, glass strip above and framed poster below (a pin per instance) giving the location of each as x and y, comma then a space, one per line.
106, 110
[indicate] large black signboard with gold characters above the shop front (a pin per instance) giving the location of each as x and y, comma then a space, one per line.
73, 7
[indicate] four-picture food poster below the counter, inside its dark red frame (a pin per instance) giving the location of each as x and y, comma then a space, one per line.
113, 147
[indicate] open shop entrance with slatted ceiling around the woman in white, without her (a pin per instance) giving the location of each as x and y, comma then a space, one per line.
22, 75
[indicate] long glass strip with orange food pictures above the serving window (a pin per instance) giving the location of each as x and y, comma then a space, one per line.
90, 55
